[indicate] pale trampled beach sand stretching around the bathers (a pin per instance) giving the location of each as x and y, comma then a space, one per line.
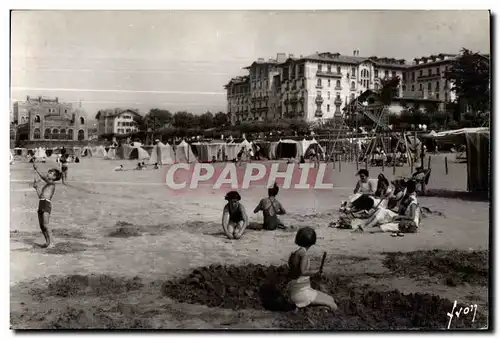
128, 224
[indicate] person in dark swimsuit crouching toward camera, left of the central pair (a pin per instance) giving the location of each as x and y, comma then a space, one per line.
234, 216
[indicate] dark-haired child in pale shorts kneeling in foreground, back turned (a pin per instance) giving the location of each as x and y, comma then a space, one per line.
301, 292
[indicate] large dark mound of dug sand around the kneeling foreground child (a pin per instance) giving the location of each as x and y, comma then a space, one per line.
261, 287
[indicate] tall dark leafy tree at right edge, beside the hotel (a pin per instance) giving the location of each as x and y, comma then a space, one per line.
470, 74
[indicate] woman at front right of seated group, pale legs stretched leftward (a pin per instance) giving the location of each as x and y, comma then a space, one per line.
406, 220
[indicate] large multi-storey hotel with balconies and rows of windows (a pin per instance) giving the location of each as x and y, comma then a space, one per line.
320, 85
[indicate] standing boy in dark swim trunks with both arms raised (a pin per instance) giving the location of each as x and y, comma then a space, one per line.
45, 195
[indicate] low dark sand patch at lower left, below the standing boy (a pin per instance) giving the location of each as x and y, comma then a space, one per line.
91, 285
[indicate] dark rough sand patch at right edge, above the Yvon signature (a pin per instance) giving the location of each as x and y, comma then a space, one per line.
451, 267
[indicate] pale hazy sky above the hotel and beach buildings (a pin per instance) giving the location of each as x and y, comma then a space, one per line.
180, 60
